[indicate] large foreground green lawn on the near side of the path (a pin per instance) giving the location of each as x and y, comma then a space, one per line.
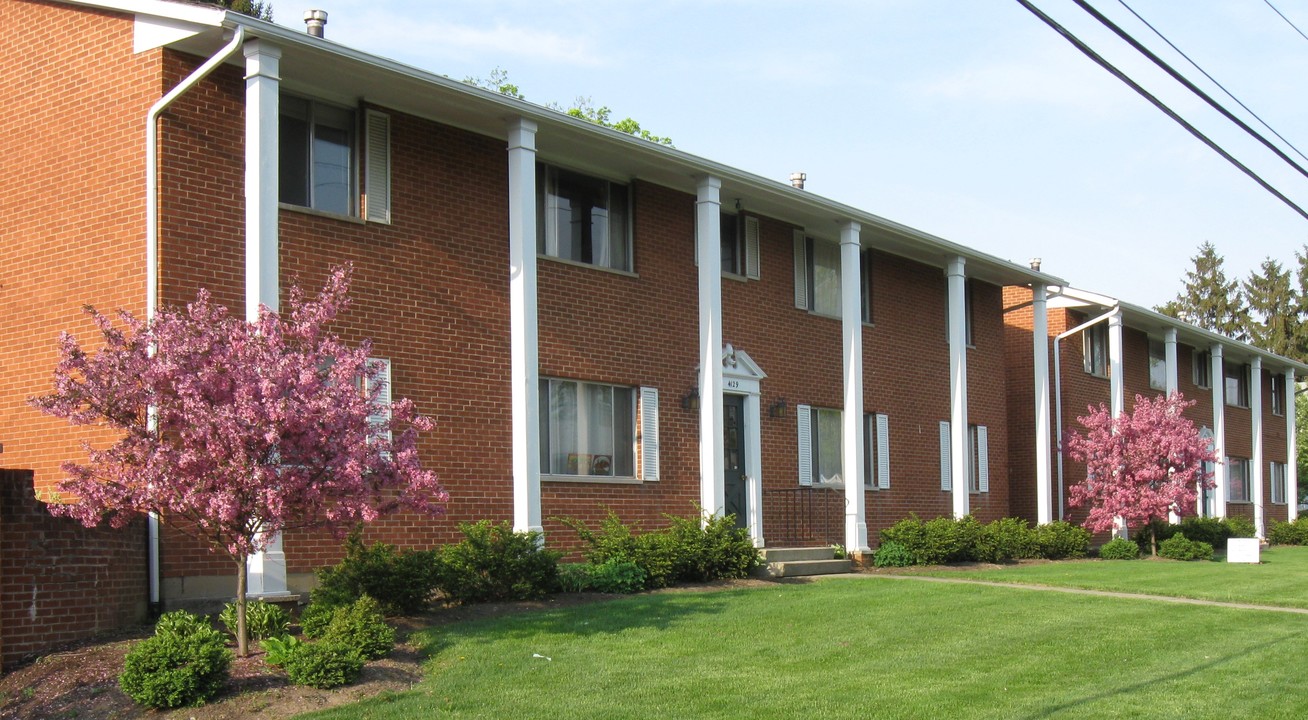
861, 647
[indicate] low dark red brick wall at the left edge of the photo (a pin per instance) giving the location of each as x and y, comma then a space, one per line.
61, 582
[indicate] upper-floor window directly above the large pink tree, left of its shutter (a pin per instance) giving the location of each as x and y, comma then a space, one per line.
317, 156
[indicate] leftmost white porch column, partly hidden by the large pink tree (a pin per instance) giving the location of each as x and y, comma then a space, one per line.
266, 571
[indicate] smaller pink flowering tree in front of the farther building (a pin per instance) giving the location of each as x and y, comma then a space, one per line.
1140, 467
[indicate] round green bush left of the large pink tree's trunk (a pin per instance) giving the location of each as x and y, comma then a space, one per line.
185, 663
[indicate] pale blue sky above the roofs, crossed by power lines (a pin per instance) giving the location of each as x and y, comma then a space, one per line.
969, 120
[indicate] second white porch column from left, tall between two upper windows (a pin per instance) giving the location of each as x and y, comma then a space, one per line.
524, 357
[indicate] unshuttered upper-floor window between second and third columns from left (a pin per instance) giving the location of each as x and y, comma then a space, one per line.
583, 219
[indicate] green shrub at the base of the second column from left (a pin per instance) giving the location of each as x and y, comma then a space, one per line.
494, 562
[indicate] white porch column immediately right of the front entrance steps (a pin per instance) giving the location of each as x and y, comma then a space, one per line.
852, 418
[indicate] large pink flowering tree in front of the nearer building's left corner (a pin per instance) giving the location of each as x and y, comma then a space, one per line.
233, 431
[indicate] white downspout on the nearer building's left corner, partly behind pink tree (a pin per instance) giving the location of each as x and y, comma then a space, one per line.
152, 270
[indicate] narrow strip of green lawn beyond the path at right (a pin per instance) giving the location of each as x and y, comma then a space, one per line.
1282, 579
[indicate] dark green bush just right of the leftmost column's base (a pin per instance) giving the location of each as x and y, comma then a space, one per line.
402, 581
